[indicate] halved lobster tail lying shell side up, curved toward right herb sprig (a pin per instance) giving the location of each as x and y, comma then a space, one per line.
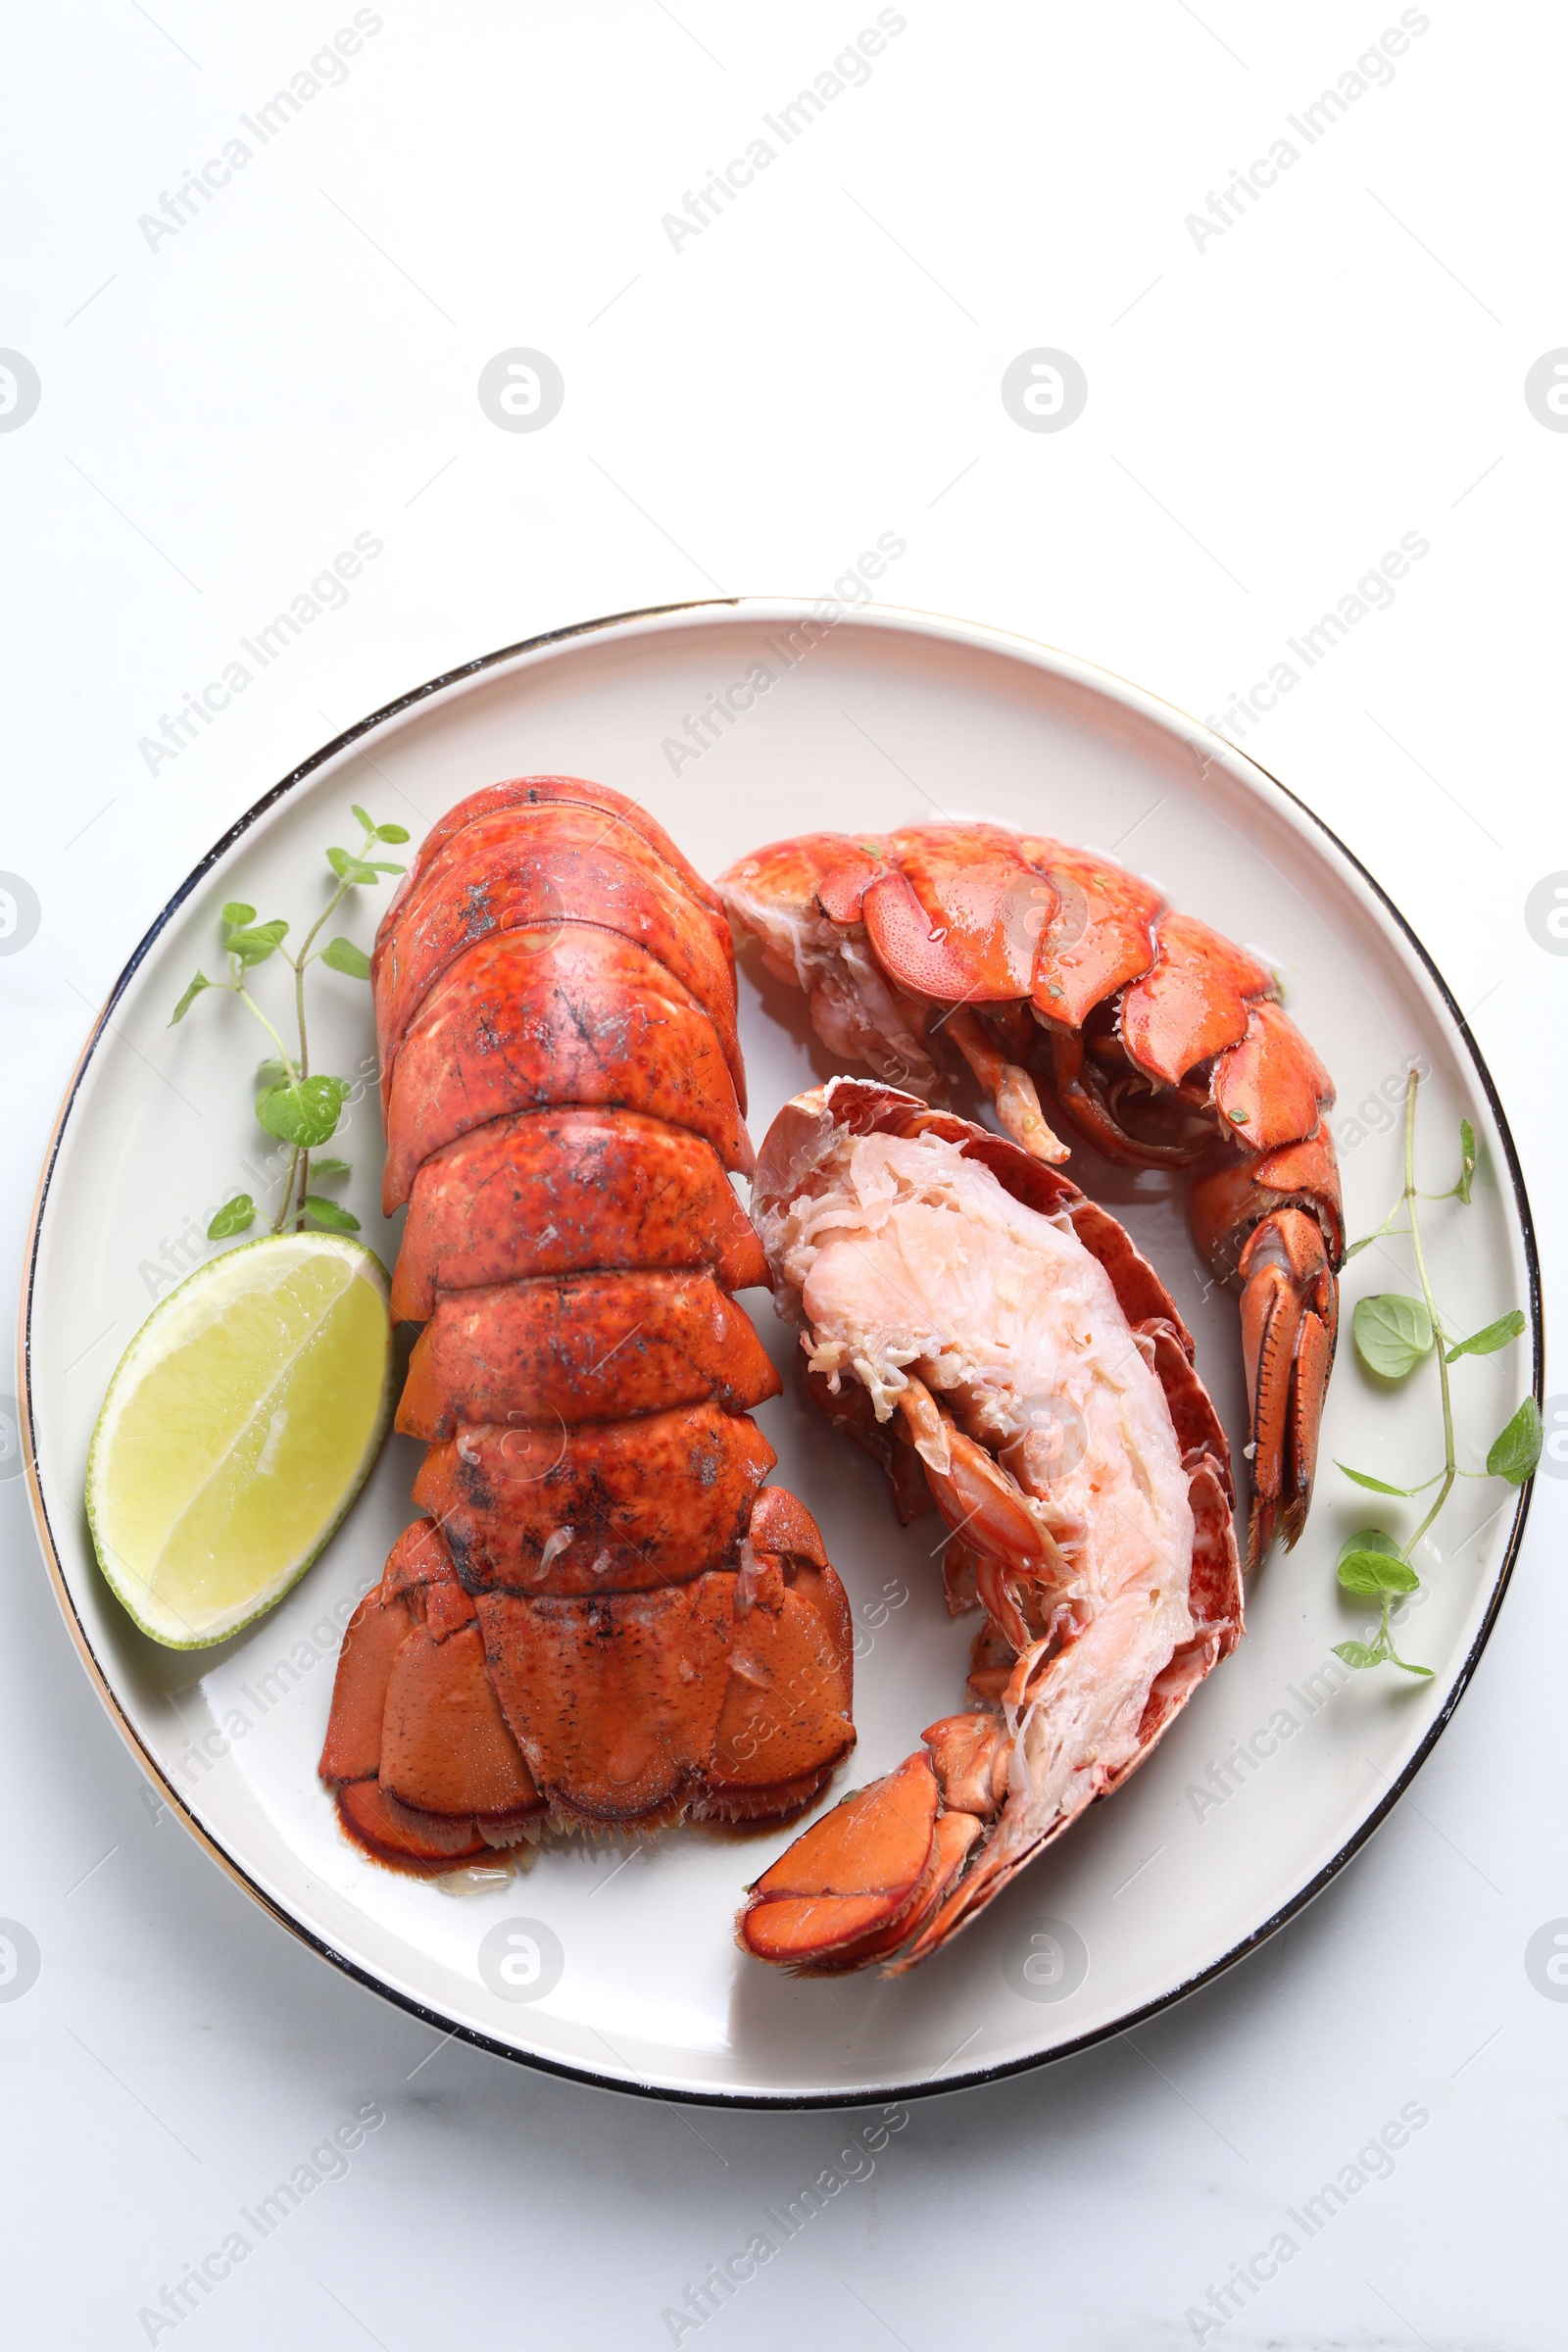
1078, 998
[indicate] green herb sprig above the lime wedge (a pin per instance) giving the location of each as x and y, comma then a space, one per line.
295, 1104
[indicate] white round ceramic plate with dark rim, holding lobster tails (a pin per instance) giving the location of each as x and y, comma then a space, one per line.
873, 721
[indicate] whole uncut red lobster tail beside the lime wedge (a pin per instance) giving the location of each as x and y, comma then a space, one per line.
605, 1619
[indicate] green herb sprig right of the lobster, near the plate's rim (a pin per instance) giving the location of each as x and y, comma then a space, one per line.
1393, 1337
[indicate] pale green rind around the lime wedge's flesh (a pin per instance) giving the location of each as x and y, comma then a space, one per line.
182, 1316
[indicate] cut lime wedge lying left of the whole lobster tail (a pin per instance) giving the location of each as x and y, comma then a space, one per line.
236, 1431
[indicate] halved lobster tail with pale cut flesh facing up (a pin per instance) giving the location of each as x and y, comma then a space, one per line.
1007, 1354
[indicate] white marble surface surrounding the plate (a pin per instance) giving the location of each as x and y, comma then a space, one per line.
1268, 415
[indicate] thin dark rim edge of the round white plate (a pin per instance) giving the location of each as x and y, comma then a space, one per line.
765, 2102
